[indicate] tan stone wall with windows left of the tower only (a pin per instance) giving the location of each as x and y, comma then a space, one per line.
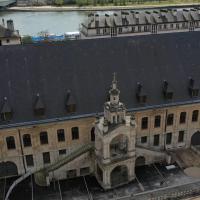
53, 146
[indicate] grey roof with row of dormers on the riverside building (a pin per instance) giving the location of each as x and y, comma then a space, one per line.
142, 17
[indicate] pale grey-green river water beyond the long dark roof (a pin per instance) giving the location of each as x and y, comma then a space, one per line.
31, 23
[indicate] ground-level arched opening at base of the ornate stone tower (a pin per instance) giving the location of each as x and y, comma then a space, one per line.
119, 175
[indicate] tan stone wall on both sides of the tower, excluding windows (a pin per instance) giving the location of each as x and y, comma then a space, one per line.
85, 125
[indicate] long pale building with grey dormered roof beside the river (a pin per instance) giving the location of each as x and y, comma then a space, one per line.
141, 22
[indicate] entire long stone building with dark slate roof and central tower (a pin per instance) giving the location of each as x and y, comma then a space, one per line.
61, 119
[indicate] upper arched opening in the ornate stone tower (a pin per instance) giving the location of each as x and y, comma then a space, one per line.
119, 146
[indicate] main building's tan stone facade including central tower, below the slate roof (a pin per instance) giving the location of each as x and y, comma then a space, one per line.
121, 141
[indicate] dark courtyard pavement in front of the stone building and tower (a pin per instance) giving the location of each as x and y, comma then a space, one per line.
155, 179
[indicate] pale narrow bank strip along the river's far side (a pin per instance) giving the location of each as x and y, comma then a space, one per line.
98, 8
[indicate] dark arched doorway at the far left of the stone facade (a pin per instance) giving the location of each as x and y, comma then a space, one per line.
8, 169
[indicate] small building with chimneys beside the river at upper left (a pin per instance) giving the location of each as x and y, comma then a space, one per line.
8, 35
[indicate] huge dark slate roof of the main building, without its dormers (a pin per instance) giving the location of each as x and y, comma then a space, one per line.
85, 67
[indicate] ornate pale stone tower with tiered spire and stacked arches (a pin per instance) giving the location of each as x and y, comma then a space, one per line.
115, 134
